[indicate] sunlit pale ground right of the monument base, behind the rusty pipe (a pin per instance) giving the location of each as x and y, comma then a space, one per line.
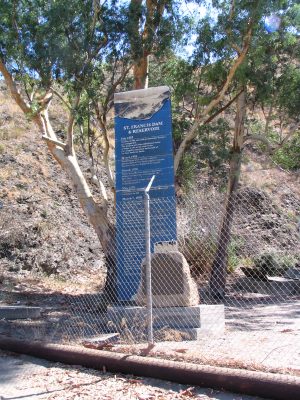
261, 337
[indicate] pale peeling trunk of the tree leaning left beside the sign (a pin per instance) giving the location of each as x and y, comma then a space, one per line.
65, 155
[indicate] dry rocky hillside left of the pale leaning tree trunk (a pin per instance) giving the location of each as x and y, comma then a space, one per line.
42, 227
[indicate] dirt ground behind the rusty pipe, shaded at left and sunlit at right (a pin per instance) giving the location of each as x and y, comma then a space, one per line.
262, 336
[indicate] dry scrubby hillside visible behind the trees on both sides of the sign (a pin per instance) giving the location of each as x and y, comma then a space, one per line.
44, 233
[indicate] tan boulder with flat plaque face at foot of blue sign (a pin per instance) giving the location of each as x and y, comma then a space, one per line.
172, 283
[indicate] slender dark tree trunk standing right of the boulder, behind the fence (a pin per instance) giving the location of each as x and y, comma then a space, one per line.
219, 266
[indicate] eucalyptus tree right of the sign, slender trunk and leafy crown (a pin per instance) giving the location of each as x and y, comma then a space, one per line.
238, 64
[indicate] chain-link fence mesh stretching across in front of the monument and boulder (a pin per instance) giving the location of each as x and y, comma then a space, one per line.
225, 284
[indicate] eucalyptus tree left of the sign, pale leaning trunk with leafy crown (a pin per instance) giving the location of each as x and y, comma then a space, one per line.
75, 45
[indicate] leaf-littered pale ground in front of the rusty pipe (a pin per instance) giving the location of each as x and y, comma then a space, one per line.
27, 378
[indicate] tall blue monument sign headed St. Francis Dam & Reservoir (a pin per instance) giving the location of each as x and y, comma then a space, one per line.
144, 147
